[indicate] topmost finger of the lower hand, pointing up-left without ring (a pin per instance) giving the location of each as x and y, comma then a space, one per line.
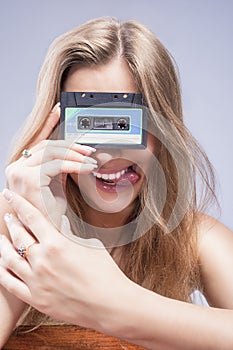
31, 217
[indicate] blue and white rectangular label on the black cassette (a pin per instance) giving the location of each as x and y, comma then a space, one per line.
104, 125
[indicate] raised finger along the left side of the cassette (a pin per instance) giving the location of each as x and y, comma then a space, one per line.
49, 124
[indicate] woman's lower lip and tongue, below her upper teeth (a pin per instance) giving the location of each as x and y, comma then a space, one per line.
120, 186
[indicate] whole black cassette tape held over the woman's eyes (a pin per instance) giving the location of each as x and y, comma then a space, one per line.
104, 119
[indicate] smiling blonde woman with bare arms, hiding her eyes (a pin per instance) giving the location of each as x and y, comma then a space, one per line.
144, 242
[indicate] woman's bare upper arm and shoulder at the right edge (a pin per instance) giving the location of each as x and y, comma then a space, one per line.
216, 261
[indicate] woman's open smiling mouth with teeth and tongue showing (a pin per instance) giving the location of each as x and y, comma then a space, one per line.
123, 177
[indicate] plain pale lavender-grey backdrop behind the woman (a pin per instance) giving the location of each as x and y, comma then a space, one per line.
198, 34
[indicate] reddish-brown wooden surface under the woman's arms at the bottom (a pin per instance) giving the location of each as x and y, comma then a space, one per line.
65, 337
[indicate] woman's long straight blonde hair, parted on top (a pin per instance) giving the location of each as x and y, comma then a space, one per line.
164, 263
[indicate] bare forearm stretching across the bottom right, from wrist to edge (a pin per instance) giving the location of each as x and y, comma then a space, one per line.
155, 322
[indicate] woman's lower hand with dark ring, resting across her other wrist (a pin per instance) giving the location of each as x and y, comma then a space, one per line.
76, 283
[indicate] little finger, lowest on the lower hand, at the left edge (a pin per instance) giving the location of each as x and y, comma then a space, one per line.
14, 285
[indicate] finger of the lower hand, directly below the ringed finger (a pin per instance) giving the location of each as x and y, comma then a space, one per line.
13, 262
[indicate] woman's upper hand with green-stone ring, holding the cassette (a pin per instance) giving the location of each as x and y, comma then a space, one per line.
40, 178
